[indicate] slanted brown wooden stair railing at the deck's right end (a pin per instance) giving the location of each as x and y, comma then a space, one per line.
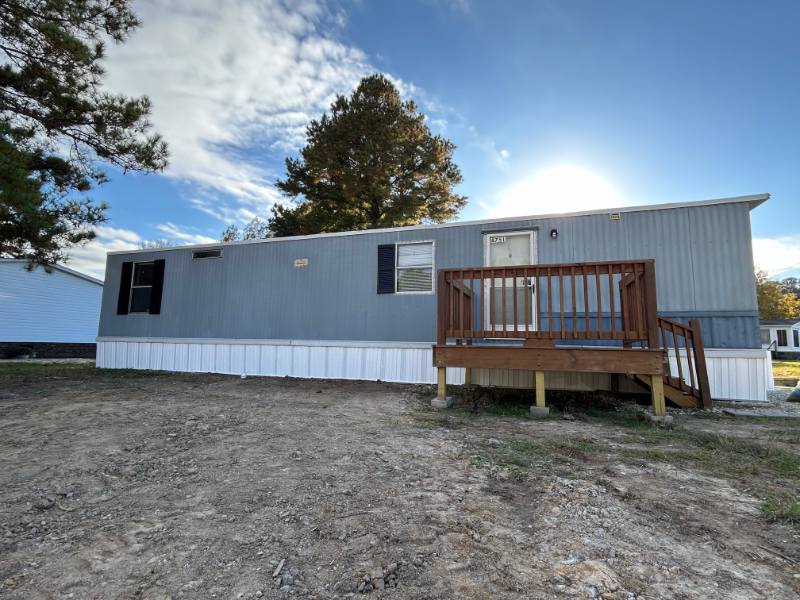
690, 361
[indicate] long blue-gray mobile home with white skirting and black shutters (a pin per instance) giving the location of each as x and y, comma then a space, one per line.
372, 304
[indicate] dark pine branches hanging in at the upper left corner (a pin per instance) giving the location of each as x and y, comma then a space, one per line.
57, 125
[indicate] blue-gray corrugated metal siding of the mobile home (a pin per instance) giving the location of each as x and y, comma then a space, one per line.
703, 263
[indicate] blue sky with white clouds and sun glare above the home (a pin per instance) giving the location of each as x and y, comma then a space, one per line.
554, 106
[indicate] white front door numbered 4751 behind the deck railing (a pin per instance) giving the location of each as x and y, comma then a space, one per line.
507, 250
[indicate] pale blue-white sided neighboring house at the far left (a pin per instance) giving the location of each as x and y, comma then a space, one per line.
57, 313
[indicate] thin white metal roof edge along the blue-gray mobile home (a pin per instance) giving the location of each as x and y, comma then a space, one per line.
753, 201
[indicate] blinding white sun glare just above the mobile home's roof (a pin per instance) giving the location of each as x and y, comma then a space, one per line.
557, 190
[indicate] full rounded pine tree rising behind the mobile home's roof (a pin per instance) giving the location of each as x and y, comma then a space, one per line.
371, 163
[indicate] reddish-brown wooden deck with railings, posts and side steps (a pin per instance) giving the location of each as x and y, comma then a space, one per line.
610, 306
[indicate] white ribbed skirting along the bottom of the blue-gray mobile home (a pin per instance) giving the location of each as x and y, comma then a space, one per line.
733, 374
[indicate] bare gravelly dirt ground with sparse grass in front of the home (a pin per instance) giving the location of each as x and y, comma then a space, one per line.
119, 484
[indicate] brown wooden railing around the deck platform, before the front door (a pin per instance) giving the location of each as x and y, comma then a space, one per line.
581, 301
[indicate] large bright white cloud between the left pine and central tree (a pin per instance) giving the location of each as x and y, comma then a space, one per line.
232, 76
